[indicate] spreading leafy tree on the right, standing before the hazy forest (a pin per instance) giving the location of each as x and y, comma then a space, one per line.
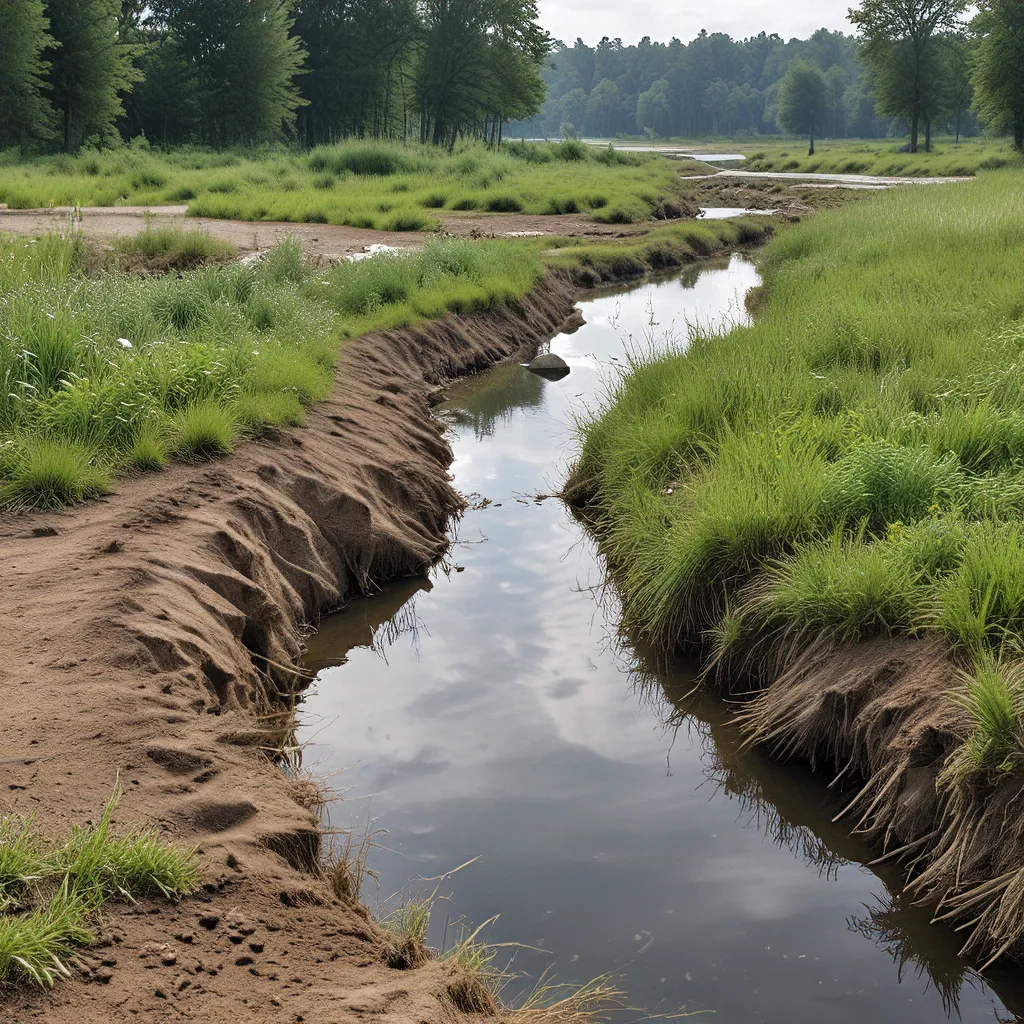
902, 55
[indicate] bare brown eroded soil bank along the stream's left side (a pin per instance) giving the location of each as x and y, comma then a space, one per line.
150, 636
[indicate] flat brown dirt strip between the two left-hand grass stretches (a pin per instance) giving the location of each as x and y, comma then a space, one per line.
323, 240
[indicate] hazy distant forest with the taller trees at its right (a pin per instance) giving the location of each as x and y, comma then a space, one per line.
913, 65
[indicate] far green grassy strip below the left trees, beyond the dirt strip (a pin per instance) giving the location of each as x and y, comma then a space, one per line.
365, 185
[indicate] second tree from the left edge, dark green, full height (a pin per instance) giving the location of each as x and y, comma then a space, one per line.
91, 68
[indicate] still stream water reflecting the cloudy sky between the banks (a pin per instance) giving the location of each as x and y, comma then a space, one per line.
490, 712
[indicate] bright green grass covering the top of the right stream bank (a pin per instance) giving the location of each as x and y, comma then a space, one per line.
852, 464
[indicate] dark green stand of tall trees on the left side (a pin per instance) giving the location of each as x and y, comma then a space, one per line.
222, 73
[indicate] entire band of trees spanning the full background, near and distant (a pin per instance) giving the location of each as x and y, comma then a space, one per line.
223, 73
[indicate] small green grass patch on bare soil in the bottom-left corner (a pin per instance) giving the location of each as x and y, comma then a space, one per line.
53, 890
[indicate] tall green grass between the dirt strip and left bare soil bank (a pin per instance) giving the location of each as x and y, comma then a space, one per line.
103, 375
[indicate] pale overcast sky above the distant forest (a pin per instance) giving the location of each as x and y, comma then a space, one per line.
664, 19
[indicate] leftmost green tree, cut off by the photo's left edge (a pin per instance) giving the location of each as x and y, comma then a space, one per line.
26, 116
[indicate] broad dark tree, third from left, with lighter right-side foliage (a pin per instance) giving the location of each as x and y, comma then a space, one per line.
243, 60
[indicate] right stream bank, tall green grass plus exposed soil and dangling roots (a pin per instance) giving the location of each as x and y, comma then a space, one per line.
825, 504
